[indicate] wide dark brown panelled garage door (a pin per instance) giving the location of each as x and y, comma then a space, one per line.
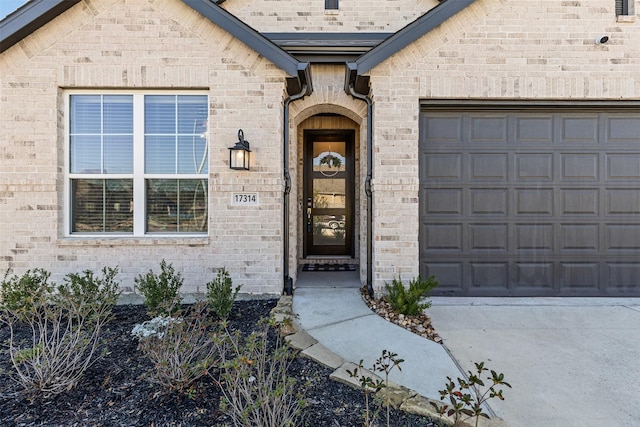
530, 201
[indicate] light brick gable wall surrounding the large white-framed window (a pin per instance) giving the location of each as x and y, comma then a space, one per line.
139, 44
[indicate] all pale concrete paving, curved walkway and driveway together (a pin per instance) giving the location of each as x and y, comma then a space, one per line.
571, 361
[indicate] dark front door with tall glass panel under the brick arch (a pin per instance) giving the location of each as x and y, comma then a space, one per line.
328, 192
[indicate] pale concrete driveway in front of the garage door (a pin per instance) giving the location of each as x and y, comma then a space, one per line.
571, 361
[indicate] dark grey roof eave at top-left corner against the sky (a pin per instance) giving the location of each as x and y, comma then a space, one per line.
28, 18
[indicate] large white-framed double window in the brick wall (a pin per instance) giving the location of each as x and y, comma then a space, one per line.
137, 163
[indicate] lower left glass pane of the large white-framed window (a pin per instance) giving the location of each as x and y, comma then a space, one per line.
102, 205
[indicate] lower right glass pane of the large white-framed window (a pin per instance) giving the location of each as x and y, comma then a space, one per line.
177, 205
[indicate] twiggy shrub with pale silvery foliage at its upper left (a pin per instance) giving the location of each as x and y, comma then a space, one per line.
183, 348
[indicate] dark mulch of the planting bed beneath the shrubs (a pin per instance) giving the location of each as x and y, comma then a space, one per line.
114, 393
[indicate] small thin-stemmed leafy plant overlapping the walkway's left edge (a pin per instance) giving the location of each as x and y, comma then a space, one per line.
386, 363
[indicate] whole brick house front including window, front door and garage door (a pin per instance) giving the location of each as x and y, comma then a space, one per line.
412, 85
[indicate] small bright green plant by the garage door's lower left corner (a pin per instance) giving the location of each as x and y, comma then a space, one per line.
407, 301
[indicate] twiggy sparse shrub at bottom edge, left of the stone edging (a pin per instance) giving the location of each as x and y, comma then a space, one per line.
257, 390
